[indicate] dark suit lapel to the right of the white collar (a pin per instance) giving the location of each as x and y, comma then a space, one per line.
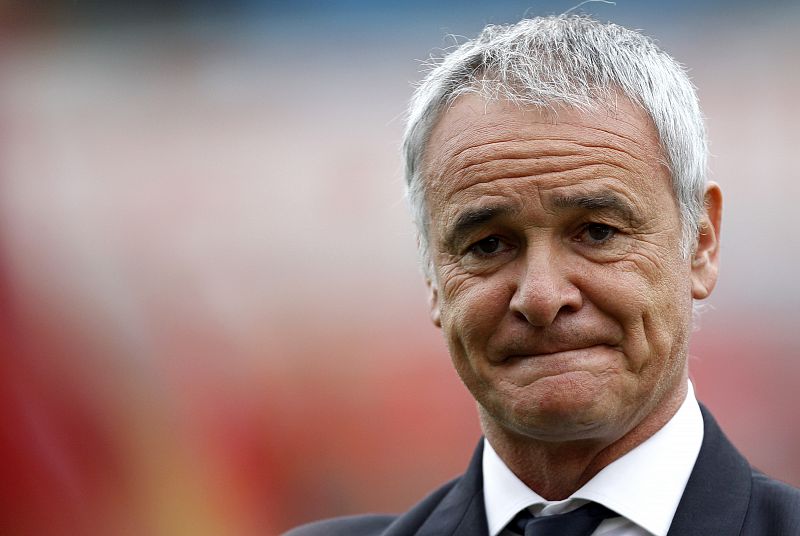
718, 492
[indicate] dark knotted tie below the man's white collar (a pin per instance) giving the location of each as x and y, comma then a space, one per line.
579, 522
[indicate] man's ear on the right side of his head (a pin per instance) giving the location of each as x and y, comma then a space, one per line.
705, 260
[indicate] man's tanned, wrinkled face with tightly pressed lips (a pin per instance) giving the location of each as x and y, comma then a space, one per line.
560, 284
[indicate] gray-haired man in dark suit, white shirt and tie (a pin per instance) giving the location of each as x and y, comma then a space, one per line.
556, 171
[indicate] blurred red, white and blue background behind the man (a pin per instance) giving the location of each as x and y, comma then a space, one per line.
211, 316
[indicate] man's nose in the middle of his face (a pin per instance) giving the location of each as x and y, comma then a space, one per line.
544, 289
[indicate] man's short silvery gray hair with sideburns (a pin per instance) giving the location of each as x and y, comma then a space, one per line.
565, 60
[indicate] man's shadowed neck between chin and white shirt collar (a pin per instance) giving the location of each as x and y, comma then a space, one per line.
555, 470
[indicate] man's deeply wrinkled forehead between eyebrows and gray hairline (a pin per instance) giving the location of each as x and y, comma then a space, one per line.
479, 147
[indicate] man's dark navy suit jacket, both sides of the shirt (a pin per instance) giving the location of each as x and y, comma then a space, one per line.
724, 497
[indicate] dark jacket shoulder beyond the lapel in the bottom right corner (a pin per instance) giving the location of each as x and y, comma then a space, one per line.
774, 507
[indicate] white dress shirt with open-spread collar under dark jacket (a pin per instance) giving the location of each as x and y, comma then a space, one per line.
644, 486
